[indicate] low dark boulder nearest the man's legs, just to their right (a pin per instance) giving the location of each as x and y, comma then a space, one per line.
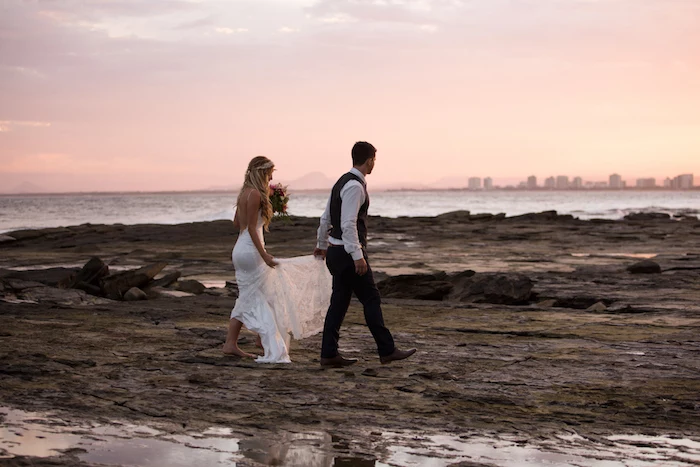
416, 286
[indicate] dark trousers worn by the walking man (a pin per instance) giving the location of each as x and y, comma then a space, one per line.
345, 282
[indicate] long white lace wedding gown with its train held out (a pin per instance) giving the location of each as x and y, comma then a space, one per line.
289, 300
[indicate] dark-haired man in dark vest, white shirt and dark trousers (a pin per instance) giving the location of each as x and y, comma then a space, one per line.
342, 241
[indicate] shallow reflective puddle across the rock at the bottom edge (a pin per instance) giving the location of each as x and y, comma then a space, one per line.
123, 444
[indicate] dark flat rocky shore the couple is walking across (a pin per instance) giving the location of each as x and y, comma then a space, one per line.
528, 326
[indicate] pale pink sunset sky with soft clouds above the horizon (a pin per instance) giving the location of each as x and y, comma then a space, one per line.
107, 95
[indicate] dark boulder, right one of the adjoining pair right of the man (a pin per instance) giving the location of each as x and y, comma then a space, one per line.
499, 288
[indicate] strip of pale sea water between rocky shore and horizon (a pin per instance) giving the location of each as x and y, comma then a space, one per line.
40, 211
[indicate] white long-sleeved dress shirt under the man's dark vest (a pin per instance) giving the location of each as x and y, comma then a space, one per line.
353, 197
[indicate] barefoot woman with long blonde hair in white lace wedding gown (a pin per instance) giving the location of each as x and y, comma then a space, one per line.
278, 298
